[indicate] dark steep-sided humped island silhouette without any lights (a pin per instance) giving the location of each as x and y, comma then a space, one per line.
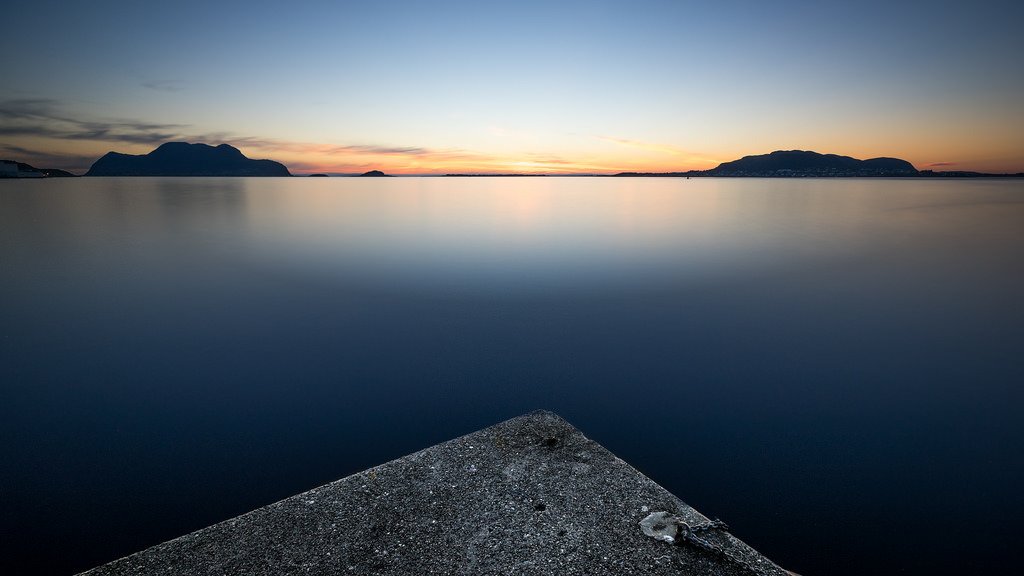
184, 159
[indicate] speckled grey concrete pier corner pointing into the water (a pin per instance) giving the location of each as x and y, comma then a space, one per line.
531, 496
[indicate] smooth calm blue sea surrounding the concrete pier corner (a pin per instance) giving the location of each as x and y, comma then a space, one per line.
835, 367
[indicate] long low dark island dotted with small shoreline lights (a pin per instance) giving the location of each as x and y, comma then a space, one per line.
800, 163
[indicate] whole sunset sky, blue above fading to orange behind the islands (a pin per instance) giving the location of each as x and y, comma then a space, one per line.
498, 88
